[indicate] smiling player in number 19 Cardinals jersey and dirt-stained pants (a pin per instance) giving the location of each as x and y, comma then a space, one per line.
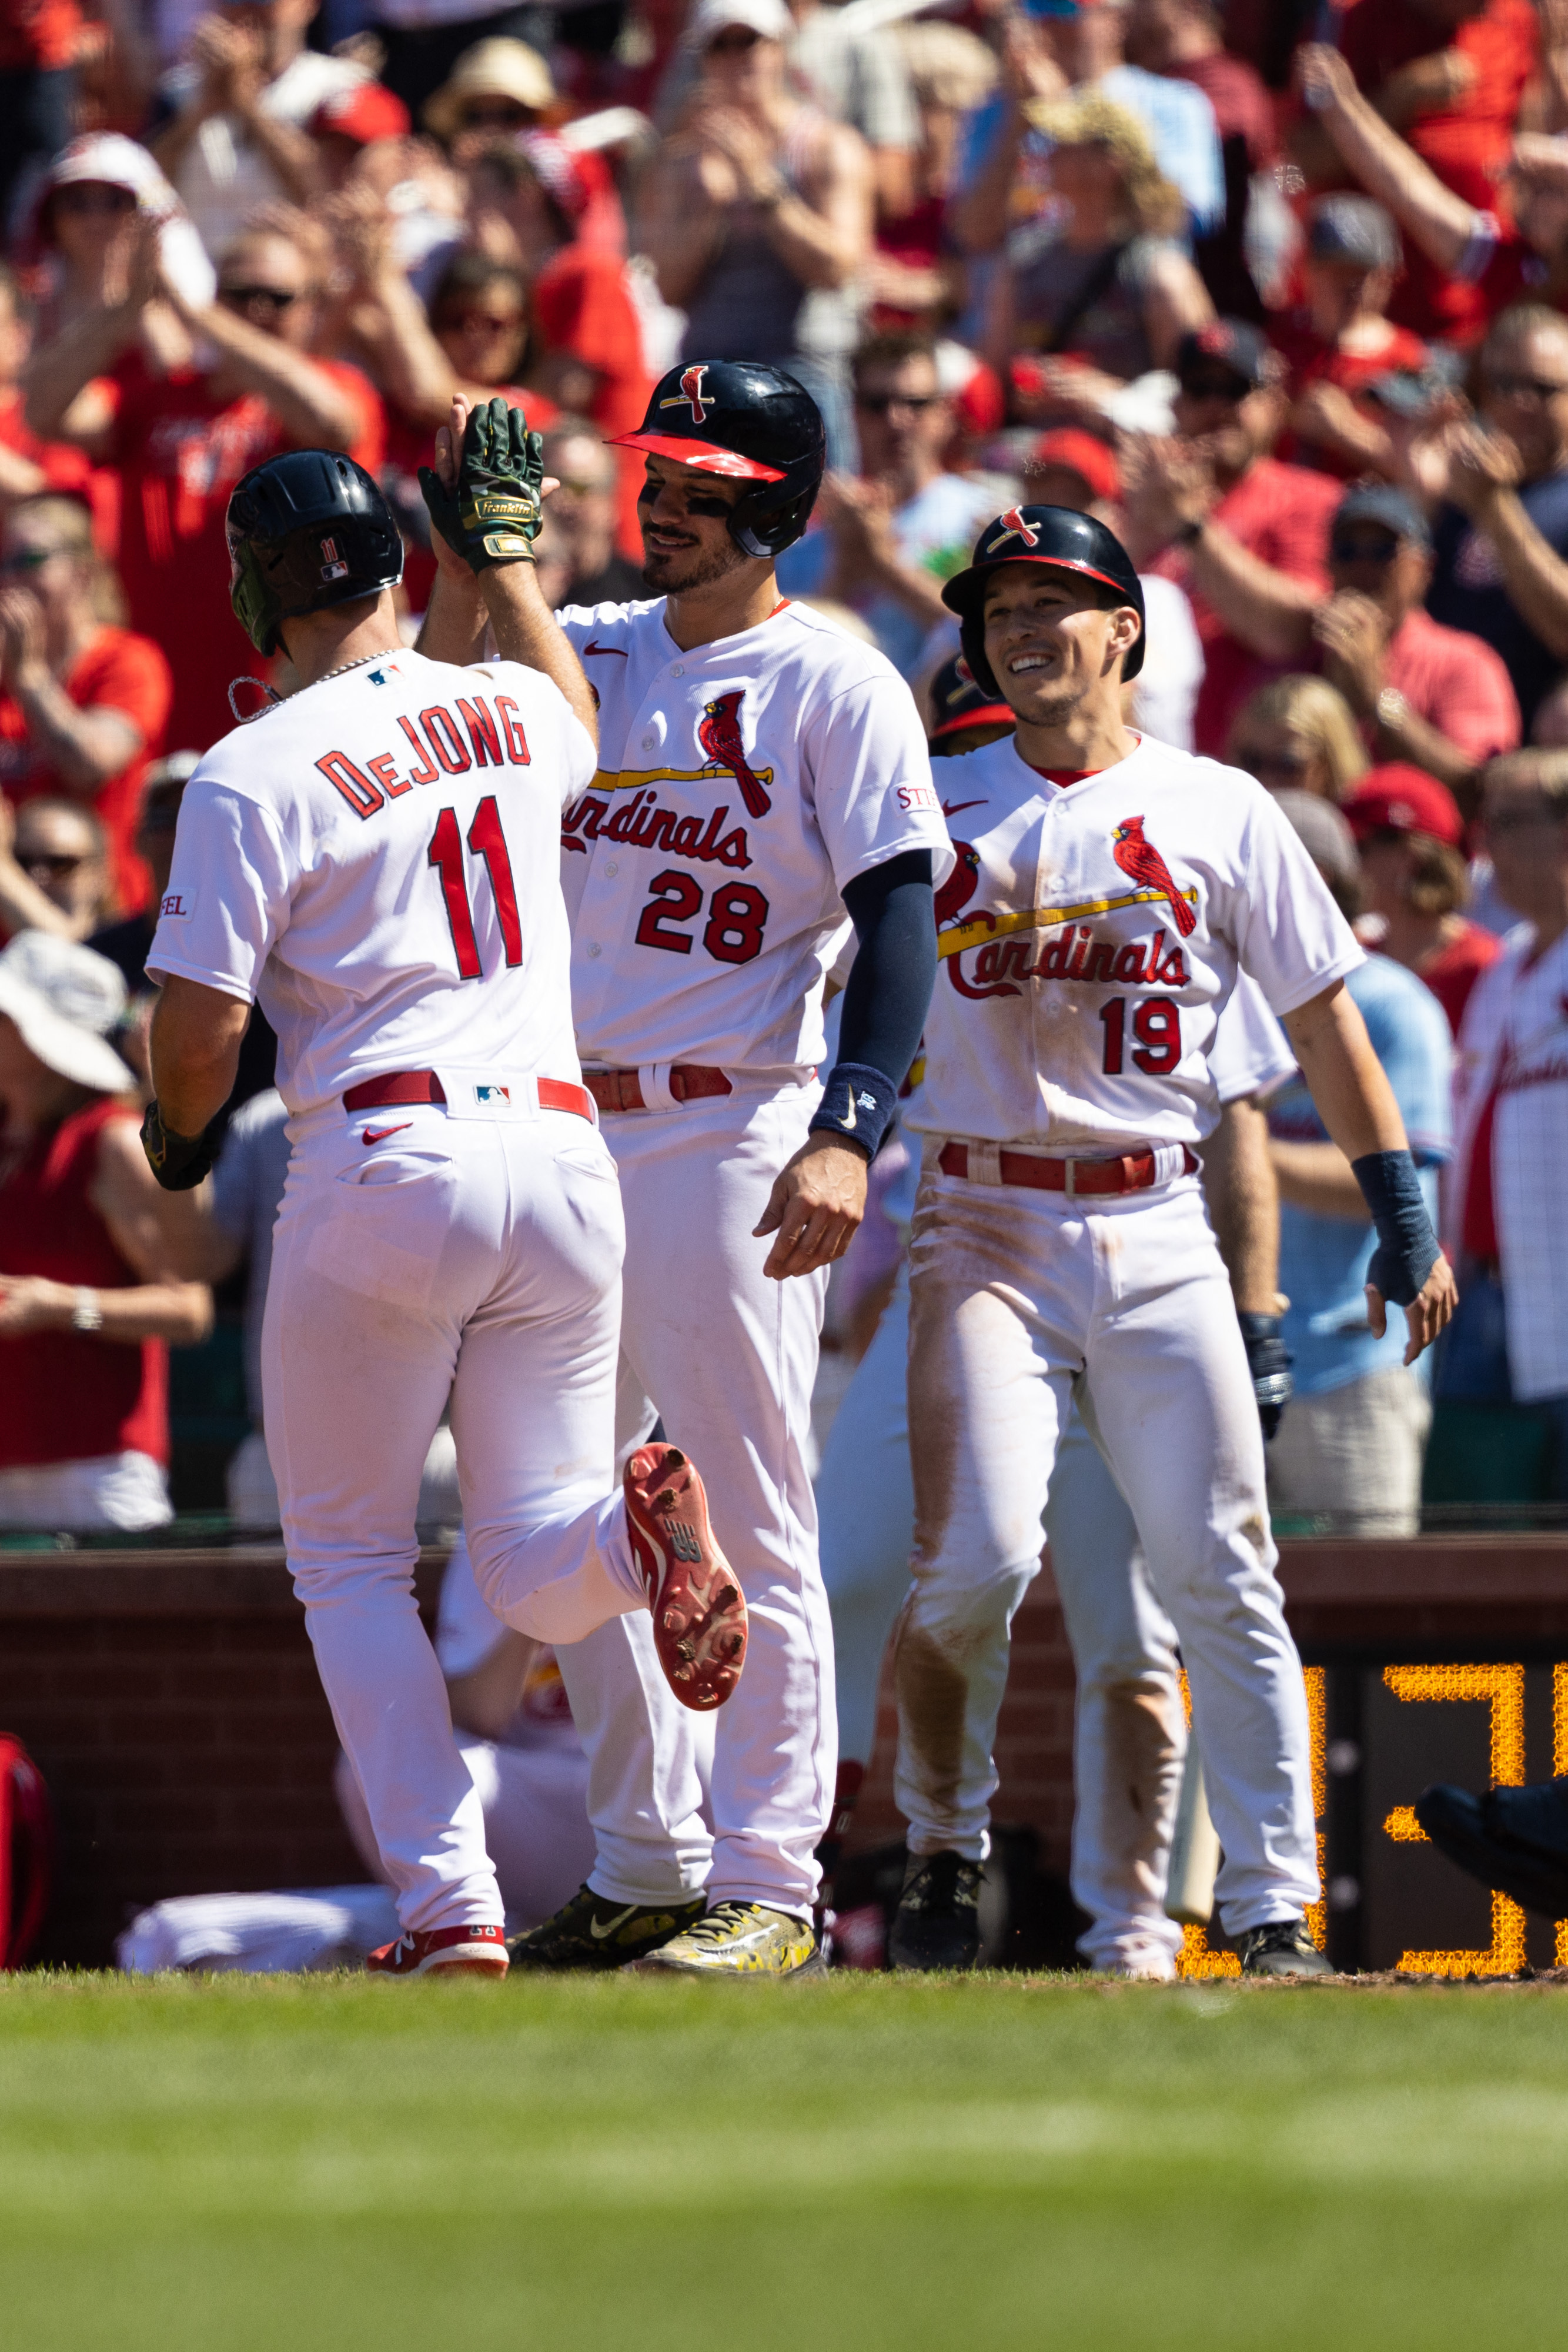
1061, 1243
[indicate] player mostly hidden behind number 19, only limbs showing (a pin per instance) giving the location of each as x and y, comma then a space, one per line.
1130, 1730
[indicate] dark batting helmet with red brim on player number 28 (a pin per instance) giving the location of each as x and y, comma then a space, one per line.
742, 422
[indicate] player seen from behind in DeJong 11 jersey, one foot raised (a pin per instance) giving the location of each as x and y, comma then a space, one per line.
377, 864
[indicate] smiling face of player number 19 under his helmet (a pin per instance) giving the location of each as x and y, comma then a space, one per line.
1052, 641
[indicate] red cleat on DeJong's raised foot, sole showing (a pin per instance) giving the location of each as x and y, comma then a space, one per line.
695, 1596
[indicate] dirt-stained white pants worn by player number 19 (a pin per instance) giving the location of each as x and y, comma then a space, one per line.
1017, 1297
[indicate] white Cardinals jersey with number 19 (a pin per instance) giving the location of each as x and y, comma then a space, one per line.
1092, 935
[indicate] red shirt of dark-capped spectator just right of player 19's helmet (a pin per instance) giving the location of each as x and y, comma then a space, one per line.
1280, 514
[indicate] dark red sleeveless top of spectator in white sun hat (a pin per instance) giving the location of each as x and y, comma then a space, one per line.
72, 1398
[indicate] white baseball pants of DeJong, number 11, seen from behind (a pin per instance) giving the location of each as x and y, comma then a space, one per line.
445, 1255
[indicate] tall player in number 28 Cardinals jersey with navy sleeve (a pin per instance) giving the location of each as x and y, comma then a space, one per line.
763, 787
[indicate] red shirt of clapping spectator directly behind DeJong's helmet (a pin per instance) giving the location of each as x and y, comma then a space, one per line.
180, 450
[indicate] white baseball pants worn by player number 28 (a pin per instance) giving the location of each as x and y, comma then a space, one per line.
728, 1358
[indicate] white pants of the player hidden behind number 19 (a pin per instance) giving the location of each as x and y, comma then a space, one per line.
1130, 1735
